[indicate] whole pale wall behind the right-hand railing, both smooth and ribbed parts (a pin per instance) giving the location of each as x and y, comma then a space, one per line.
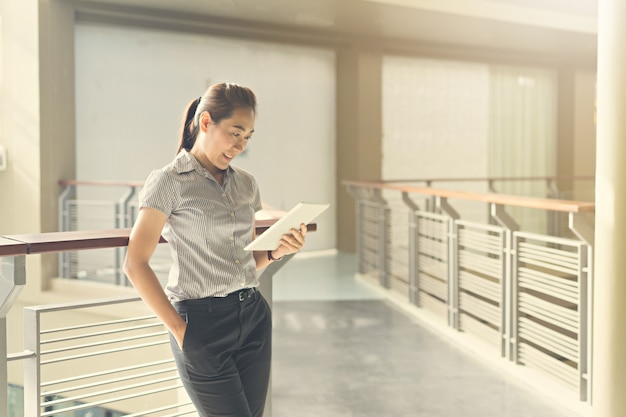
447, 119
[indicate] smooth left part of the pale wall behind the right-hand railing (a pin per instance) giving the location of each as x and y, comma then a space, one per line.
436, 123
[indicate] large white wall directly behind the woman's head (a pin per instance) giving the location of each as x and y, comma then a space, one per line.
132, 86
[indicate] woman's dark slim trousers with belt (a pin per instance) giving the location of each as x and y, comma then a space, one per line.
225, 360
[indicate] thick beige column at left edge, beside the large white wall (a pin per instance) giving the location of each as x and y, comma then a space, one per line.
36, 118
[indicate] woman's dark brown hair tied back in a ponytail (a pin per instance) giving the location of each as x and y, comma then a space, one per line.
220, 100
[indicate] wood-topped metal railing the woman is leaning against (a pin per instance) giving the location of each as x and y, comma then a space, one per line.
90, 357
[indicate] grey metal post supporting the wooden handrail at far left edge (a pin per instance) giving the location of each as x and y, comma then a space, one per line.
12, 280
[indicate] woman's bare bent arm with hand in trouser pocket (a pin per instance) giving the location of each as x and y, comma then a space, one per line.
143, 240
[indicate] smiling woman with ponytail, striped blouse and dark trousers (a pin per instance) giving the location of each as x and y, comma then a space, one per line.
219, 324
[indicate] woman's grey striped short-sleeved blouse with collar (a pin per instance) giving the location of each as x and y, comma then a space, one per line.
207, 228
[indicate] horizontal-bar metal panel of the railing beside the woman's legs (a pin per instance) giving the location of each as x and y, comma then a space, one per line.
99, 358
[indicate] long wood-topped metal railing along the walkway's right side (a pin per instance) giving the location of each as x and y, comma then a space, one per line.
525, 296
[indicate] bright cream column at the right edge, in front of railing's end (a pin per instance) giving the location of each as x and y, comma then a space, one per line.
609, 337
